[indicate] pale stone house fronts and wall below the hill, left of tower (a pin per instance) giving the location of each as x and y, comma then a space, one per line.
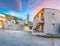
10, 25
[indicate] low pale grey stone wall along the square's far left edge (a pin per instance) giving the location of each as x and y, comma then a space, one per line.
13, 27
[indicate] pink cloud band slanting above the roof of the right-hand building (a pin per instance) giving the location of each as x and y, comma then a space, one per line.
45, 4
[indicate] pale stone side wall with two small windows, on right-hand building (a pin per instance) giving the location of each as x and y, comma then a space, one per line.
51, 21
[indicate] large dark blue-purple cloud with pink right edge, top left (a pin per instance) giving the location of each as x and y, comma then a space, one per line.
14, 5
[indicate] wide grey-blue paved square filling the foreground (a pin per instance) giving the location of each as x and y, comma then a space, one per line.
23, 38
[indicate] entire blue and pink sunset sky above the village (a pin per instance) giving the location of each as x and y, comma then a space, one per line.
20, 8
